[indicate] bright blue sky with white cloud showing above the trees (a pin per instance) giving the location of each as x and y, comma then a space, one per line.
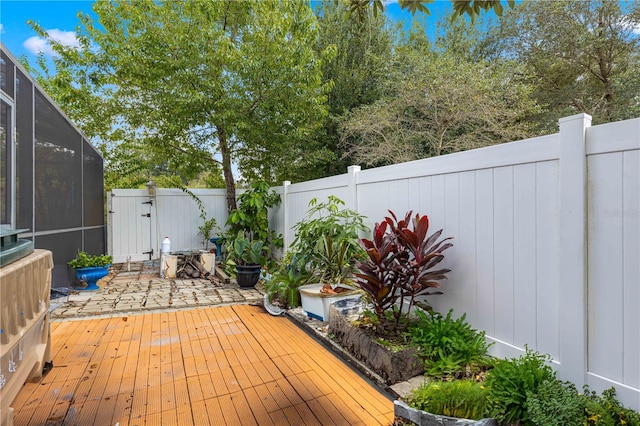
59, 17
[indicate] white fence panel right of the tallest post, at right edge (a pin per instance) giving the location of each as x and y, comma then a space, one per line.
613, 259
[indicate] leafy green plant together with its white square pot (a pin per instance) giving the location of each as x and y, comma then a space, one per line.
326, 246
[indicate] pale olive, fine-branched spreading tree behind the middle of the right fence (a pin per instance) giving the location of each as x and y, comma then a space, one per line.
439, 102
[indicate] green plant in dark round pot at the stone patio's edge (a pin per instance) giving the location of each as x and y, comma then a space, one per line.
248, 257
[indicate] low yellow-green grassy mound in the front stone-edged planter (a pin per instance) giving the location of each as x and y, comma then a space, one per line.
464, 399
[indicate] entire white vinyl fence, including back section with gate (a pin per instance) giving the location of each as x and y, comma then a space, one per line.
546, 240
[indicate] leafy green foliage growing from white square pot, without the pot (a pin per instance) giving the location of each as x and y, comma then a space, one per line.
326, 241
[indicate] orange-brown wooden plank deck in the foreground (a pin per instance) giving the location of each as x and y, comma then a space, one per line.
234, 365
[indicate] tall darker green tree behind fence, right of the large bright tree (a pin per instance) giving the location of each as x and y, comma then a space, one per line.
357, 74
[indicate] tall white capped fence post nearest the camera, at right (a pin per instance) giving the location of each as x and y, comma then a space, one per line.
573, 249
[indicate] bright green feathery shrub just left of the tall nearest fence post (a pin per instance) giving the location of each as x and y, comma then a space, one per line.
511, 381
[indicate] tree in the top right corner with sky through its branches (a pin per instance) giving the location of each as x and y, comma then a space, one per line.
582, 56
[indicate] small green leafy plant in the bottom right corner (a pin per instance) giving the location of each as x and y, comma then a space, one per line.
606, 410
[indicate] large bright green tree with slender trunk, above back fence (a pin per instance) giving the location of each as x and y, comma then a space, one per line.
191, 79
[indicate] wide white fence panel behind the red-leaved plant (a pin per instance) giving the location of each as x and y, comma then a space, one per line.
500, 204
